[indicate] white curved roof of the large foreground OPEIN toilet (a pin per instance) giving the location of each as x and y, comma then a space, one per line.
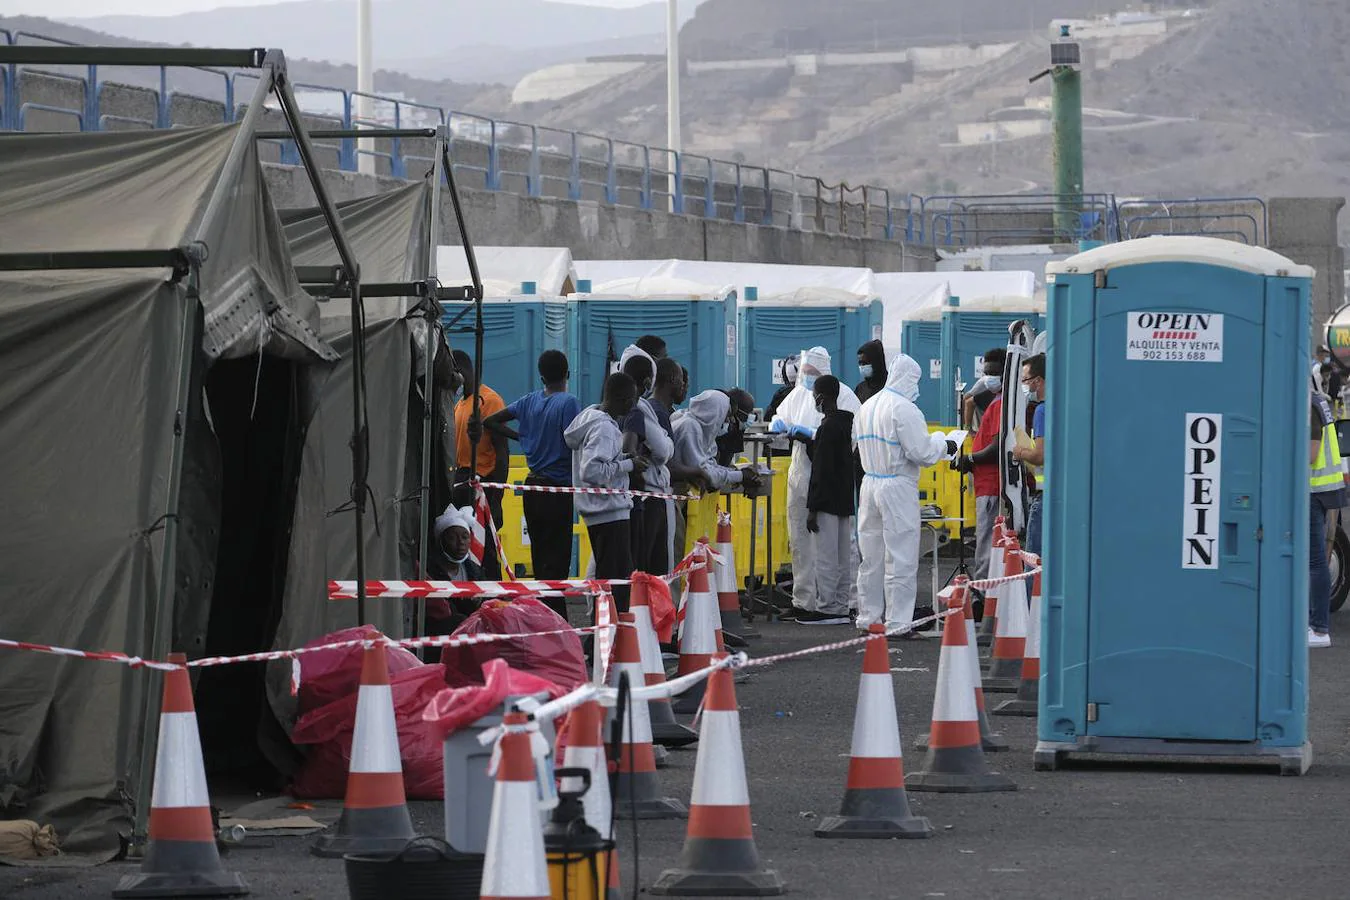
1182, 249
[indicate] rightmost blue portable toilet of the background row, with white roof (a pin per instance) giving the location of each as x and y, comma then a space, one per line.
973, 327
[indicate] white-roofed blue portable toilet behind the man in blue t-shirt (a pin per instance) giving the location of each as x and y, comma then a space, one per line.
524, 311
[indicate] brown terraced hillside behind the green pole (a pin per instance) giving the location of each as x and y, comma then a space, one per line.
1241, 101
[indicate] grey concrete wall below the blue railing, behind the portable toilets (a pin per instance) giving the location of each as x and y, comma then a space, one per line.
599, 231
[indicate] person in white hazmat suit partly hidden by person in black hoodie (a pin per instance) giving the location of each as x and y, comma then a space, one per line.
799, 416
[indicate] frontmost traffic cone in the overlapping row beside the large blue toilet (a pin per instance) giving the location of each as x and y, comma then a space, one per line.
955, 762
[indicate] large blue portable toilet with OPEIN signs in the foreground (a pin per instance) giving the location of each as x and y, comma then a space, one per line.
1177, 522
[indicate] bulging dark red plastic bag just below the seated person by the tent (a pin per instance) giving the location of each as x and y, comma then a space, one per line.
554, 658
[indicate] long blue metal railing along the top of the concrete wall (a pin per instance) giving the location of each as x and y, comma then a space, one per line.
541, 161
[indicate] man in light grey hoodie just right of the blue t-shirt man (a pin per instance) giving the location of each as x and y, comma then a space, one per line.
599, 461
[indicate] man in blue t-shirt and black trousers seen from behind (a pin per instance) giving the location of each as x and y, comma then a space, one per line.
543, 416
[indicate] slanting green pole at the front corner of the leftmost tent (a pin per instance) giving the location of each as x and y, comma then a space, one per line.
163, 621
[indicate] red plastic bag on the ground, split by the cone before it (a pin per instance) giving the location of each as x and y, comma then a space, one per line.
330, 729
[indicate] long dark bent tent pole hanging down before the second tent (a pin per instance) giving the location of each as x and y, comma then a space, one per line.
361, 435
